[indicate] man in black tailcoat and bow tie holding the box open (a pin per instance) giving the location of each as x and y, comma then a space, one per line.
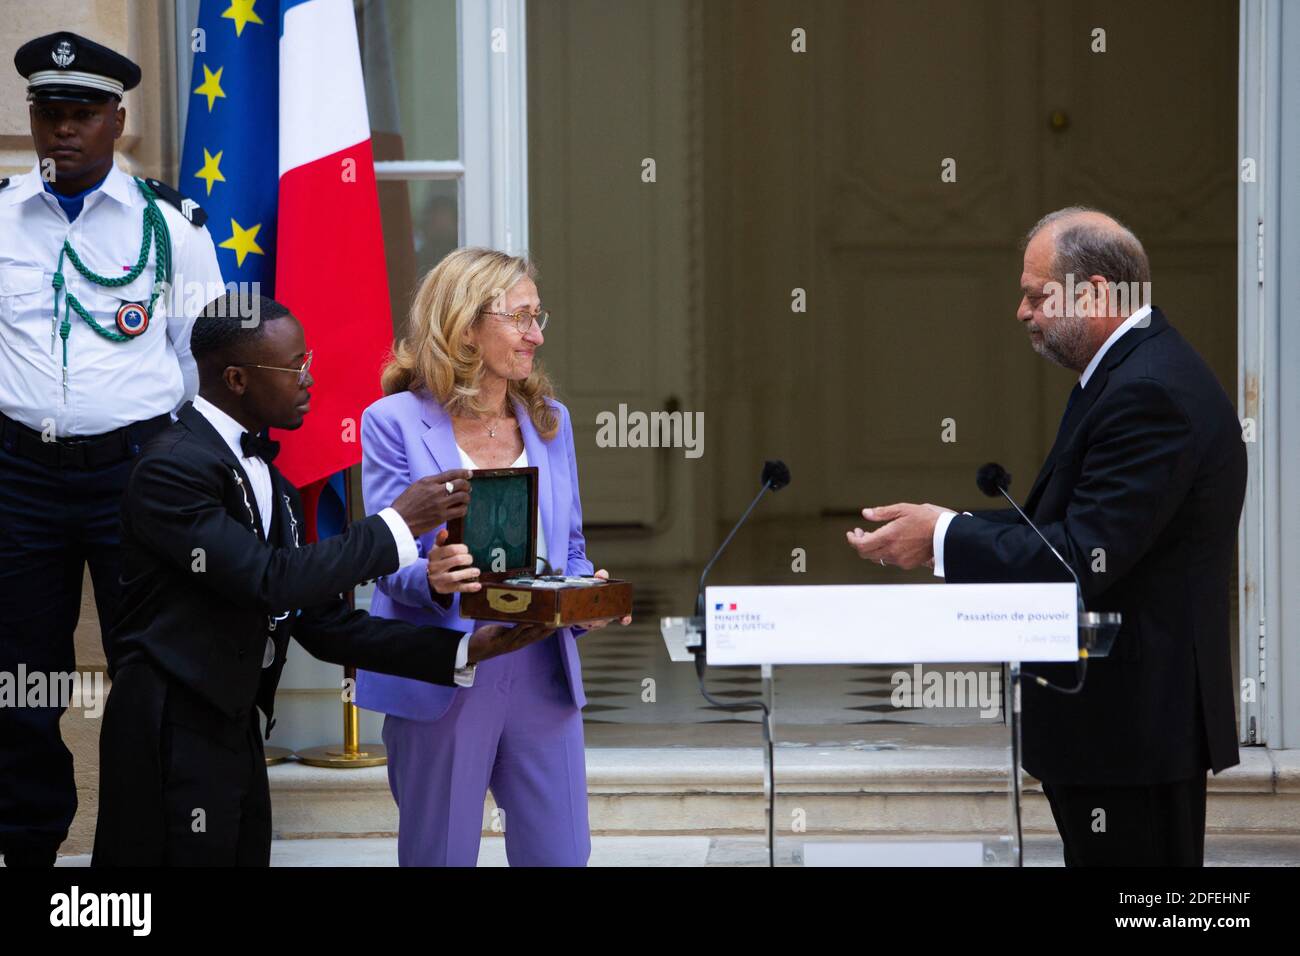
215, 582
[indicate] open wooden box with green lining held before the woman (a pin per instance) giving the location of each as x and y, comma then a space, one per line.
501, 531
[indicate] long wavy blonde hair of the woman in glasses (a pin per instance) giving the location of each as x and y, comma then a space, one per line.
436, 354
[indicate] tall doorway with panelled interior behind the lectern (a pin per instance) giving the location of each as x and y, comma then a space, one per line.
818, 178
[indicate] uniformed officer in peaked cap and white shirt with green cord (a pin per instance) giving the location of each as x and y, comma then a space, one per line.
101, 278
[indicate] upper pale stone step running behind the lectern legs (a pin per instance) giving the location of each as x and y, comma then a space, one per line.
720, 791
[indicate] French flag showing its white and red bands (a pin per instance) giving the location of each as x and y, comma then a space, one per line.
330, 246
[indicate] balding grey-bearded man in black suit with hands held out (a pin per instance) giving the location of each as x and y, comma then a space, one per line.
1141, 494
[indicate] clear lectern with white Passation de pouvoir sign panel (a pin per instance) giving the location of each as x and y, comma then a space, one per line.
891, 624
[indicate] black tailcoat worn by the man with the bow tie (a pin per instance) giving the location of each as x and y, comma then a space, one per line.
203, 589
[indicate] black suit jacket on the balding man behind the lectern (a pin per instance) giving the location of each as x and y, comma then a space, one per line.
1142, 495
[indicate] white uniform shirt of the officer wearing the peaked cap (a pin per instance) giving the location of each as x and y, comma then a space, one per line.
110, 384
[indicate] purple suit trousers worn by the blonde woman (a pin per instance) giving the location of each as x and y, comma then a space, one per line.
517, 733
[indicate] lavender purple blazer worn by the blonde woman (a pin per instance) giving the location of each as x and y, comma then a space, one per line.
409, 436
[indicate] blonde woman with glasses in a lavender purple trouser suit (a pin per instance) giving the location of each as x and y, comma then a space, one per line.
463, 391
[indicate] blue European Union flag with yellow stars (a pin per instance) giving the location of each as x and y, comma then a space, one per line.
232, 137
